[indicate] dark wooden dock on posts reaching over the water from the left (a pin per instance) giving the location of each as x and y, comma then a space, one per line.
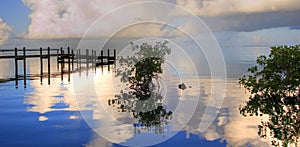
65, 58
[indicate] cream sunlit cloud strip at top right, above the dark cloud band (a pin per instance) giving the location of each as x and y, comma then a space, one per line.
225, 7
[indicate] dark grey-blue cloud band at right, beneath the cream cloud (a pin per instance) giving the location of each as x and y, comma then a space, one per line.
254, 21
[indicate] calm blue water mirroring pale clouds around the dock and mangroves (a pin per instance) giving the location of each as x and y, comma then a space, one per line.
77, 112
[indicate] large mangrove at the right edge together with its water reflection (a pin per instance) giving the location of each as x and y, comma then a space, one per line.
273, 85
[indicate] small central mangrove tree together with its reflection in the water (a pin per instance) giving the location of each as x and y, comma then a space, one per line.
141, 73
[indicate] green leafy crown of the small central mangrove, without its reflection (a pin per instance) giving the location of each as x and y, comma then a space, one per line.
146, 62
